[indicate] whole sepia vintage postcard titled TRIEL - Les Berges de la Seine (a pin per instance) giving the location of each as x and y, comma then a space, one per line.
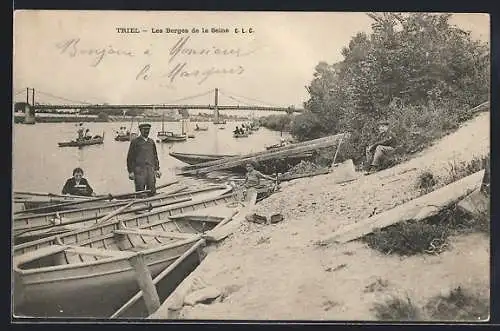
251, 166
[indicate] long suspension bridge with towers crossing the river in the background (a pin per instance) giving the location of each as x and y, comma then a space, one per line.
242, 103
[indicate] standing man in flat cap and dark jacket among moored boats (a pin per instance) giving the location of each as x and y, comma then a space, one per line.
142, 161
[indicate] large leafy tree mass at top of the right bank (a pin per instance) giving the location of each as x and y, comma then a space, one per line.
419, 59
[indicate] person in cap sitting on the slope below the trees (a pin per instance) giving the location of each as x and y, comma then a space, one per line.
380, 150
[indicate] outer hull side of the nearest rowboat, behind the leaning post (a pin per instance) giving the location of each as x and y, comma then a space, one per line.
100, 289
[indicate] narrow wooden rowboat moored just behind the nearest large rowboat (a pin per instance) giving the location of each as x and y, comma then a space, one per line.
32, 227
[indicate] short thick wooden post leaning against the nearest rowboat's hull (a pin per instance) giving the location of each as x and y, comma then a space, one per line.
145, 282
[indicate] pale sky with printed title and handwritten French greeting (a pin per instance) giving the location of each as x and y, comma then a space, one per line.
79, 55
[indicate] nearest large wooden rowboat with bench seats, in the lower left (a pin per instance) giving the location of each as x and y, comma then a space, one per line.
92, 264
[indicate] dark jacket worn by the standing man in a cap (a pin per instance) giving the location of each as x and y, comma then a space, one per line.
142, 153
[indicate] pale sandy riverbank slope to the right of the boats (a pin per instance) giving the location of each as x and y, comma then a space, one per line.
279, 272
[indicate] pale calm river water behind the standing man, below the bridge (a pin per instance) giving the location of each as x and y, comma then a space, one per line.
40, 165
